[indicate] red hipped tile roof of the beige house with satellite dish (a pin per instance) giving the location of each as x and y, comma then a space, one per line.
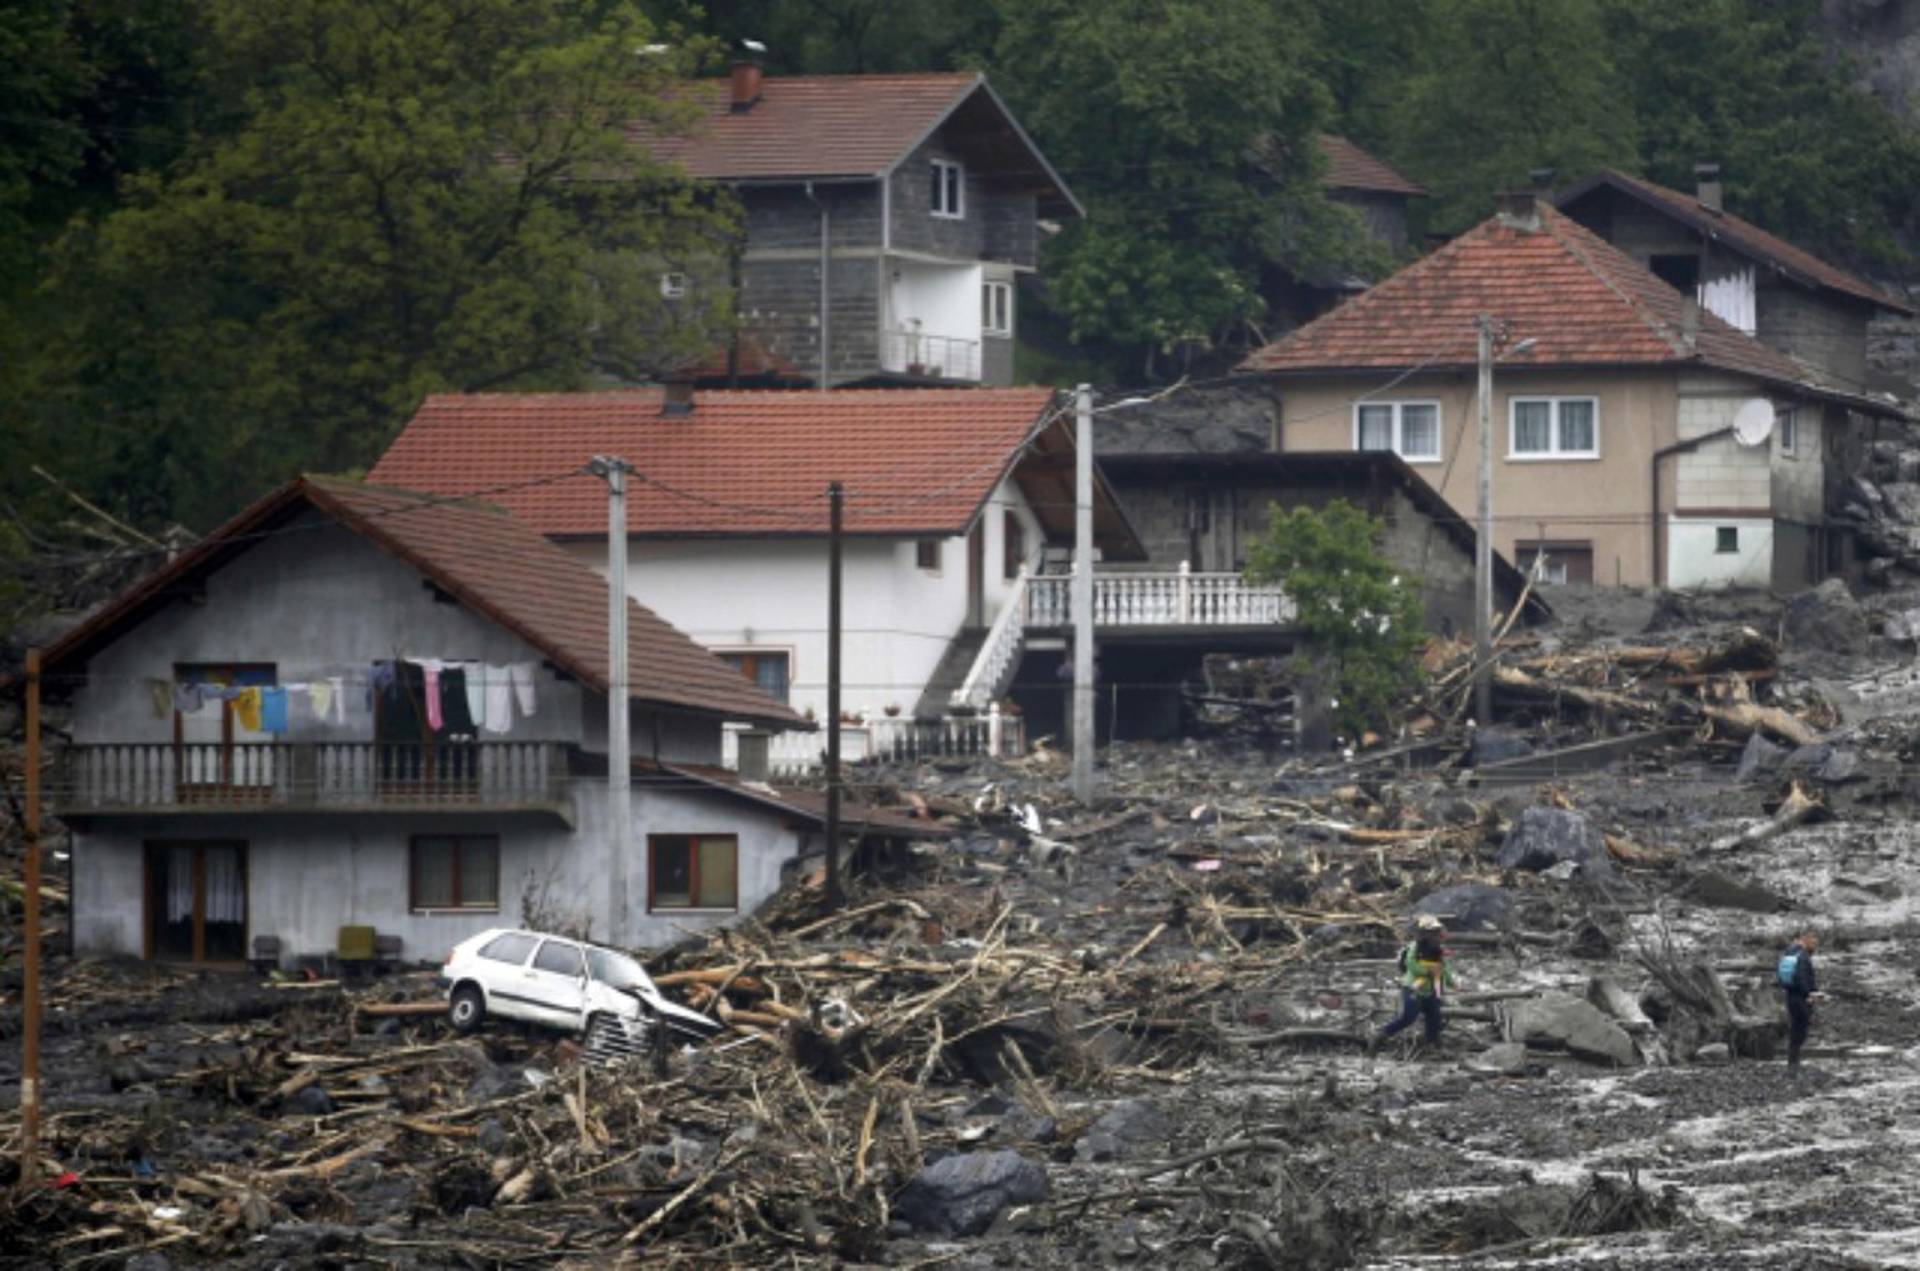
1583, 300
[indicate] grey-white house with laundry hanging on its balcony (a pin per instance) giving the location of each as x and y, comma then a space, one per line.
364, 707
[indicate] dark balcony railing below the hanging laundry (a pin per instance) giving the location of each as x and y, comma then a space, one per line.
322, 775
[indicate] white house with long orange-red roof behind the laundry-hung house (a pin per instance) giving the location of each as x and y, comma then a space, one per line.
951, 496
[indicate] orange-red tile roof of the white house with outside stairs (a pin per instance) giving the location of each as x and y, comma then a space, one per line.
746, 462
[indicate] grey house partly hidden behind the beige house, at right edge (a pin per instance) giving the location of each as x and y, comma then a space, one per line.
1783, 297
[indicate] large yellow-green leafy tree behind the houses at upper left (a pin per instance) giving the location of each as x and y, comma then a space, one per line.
393, 199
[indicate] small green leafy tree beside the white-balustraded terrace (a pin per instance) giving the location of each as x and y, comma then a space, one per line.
1360, 615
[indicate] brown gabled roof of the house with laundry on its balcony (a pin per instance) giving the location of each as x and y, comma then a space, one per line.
487, 562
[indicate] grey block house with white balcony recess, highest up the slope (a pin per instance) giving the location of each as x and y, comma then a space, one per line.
888, 220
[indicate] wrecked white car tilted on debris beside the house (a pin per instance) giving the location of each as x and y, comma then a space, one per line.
567, 986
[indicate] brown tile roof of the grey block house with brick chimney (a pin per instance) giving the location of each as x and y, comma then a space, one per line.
834, 126
